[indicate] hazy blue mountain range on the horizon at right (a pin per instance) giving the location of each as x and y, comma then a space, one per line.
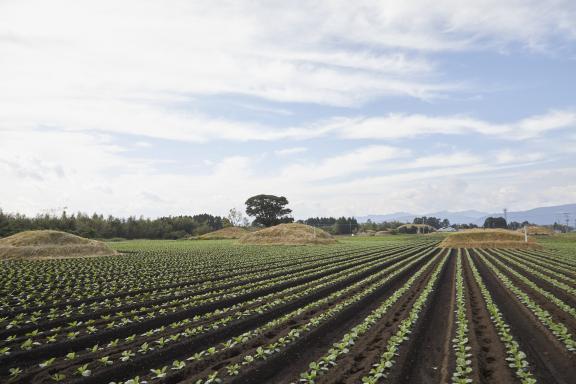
540, 216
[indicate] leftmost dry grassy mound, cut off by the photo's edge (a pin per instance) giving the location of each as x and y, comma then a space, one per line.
50, 245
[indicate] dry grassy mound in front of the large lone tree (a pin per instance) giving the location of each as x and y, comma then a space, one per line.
288, 234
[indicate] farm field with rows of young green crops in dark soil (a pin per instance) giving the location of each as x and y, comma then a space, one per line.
396, 309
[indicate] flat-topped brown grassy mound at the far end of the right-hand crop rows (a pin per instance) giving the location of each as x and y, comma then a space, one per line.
488, 238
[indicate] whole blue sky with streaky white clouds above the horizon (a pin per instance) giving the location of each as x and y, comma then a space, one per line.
155, 107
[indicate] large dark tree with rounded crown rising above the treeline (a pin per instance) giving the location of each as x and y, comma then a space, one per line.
268, 210
